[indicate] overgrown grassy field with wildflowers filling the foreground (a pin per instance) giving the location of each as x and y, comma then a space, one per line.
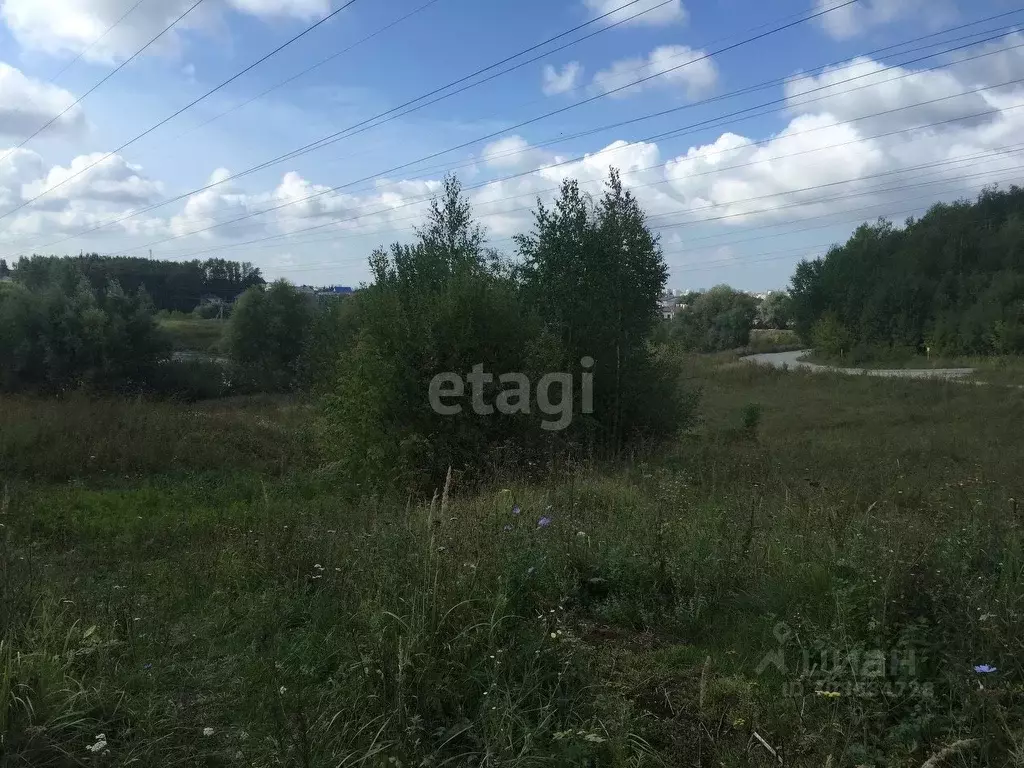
809, 578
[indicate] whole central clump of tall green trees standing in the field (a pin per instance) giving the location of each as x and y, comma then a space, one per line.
586, 286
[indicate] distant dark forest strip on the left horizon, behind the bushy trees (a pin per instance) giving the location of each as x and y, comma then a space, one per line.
172, 286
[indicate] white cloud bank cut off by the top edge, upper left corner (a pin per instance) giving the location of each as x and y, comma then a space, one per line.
71, 27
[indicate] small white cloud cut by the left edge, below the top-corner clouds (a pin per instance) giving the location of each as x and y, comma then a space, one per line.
27, 104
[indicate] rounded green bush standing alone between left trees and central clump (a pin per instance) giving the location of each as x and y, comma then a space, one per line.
267, 336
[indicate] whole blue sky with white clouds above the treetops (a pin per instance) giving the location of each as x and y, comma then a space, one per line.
753, 135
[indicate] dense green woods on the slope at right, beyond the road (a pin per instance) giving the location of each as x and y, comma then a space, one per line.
952, 283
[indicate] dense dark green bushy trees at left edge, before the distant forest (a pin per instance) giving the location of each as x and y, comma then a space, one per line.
65, 335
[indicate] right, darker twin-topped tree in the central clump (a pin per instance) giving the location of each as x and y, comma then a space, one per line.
594, 273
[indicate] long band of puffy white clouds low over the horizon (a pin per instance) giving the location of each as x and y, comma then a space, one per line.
753, 181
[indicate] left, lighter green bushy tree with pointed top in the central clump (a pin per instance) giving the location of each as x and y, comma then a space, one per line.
439, 306
